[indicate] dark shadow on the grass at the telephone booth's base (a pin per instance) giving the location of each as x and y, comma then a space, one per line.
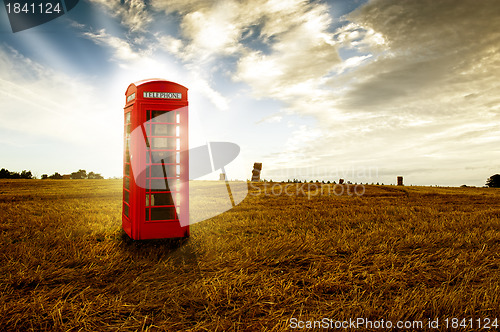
179, 250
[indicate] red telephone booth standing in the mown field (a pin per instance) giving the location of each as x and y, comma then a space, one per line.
156, 161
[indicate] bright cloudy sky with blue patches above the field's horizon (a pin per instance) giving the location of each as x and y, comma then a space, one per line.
361, 90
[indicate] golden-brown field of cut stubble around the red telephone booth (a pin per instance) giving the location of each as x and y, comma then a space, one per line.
394, 254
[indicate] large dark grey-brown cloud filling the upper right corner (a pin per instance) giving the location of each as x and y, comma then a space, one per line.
437, 50
